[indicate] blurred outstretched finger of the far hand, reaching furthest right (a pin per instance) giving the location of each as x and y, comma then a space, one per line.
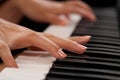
68, 9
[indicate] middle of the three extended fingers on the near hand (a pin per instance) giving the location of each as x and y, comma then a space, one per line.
67, 44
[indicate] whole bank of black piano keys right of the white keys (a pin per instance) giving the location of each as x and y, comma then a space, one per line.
102, 58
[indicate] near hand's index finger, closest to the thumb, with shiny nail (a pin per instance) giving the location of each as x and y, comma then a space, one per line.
42, 42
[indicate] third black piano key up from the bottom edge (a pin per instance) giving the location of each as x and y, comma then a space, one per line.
88, 64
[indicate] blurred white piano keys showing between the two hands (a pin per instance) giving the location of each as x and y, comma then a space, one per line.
64, 31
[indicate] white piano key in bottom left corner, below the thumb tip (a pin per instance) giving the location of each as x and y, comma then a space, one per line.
20, 74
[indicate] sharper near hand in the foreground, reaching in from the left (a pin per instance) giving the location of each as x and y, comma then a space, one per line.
13, 36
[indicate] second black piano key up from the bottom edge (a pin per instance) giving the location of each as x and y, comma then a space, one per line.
84, 71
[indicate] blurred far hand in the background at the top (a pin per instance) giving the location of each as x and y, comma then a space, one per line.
49, 11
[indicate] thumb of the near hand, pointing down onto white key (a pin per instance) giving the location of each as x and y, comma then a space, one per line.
6, 55
